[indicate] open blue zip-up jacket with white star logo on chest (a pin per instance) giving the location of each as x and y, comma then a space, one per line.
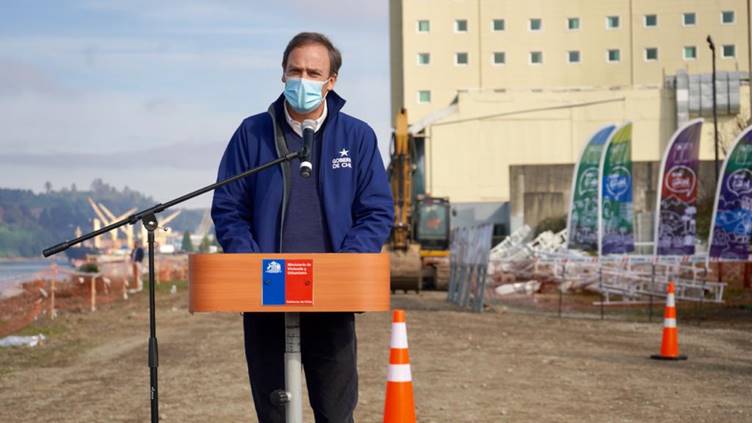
356, 198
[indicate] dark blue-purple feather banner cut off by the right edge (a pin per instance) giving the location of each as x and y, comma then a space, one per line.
731, 226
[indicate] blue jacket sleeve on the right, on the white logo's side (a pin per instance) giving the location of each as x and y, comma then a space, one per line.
372, 207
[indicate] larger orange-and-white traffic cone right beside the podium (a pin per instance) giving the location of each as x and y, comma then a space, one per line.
400, 405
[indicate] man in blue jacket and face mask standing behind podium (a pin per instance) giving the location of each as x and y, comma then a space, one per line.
345, 206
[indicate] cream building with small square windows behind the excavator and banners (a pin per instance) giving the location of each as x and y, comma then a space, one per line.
500, 92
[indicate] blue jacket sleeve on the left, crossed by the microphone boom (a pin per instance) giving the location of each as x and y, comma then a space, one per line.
232, 204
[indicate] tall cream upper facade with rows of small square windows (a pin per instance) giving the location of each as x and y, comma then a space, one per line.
441, 47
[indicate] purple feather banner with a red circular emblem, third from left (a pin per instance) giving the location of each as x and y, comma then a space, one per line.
676, 211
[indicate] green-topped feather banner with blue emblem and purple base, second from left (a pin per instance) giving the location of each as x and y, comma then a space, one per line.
615, 209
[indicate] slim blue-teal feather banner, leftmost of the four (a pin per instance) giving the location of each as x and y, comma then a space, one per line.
582, 224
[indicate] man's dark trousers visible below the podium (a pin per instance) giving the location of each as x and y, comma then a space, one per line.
328, 348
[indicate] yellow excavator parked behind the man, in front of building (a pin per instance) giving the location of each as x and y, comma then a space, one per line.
419, 242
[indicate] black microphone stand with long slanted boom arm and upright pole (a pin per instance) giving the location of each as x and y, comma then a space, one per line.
149, 220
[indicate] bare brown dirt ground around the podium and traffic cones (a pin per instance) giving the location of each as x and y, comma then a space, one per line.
502, 365
